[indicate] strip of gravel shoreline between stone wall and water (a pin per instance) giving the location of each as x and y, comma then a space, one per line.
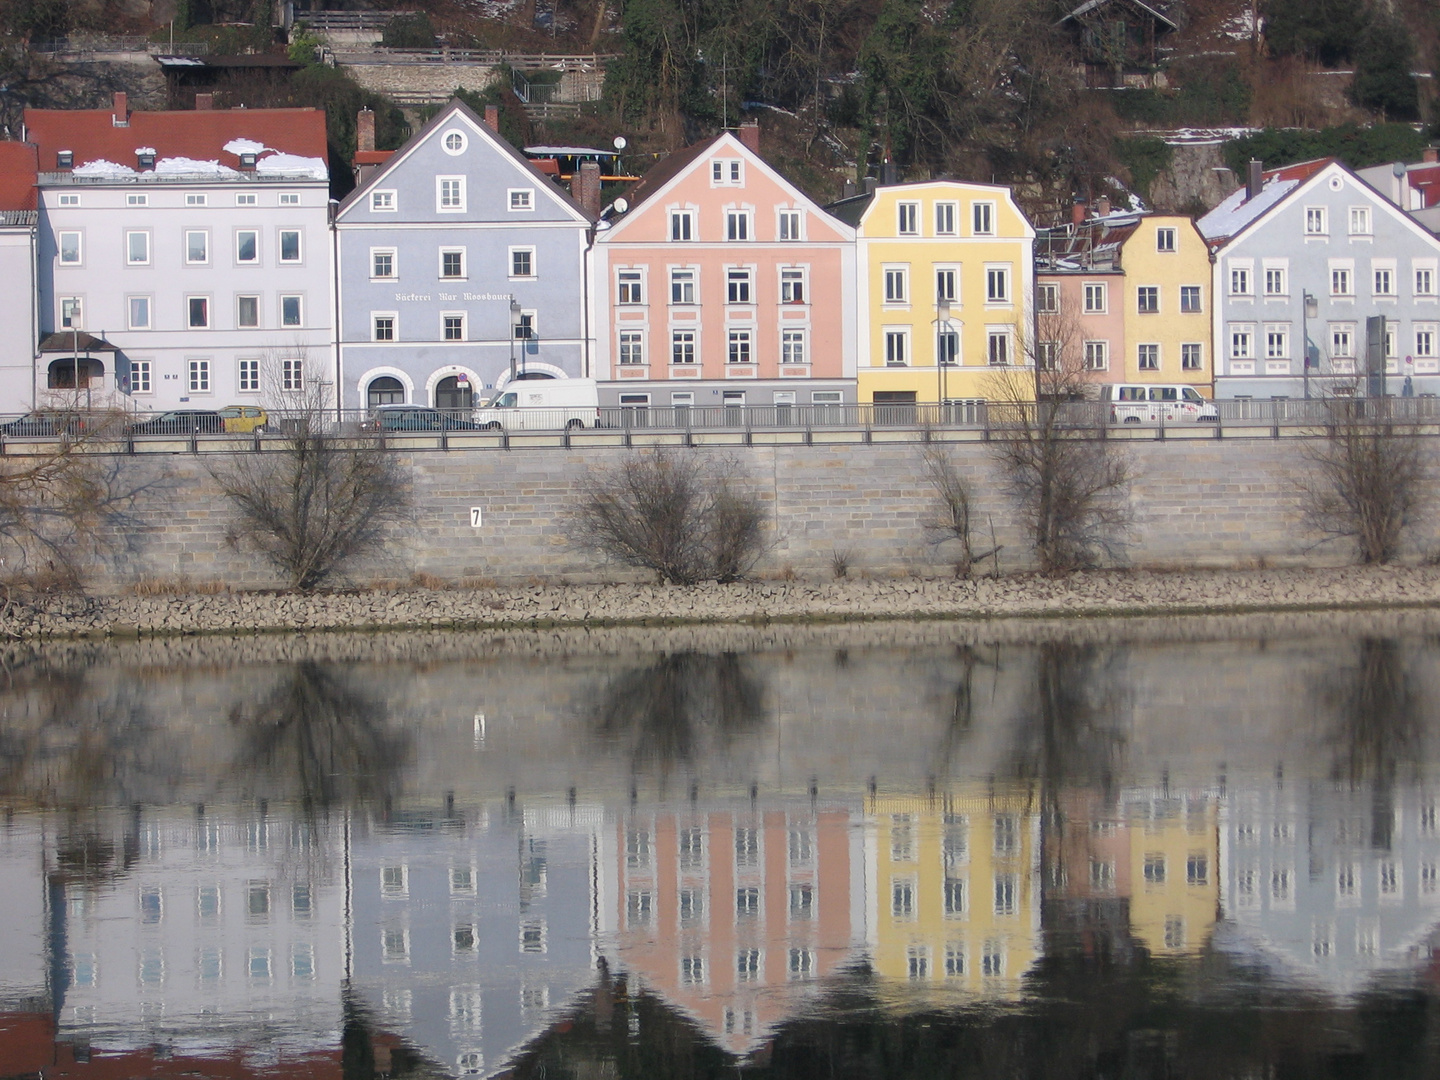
1091, 594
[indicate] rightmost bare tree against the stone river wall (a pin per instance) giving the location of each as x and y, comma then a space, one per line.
1369, 480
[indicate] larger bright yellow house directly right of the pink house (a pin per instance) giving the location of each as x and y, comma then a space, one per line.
945, 279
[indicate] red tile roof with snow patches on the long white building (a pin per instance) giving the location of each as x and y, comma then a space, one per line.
201, 135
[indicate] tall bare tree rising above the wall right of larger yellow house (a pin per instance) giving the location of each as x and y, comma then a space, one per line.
1068, 480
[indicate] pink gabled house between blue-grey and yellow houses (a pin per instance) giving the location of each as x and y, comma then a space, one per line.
724, 284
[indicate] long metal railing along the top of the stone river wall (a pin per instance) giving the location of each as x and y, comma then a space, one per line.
734, 424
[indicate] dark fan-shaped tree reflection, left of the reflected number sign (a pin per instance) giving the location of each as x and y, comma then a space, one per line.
319, 742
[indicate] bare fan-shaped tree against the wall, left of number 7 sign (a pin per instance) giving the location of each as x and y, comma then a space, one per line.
320, 499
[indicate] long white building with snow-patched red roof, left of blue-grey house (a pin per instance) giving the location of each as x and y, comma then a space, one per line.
191, 247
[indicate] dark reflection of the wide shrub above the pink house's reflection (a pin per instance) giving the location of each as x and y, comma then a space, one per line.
682, 706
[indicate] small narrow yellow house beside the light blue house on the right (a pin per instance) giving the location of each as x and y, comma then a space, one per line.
1167, 303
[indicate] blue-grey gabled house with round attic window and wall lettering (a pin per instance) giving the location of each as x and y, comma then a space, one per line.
462, 269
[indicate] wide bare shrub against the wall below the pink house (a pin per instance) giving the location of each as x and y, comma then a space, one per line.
683, 516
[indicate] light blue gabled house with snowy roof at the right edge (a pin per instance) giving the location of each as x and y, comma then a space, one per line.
1304, 257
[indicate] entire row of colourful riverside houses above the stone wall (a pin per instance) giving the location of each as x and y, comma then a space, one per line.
195, 260
